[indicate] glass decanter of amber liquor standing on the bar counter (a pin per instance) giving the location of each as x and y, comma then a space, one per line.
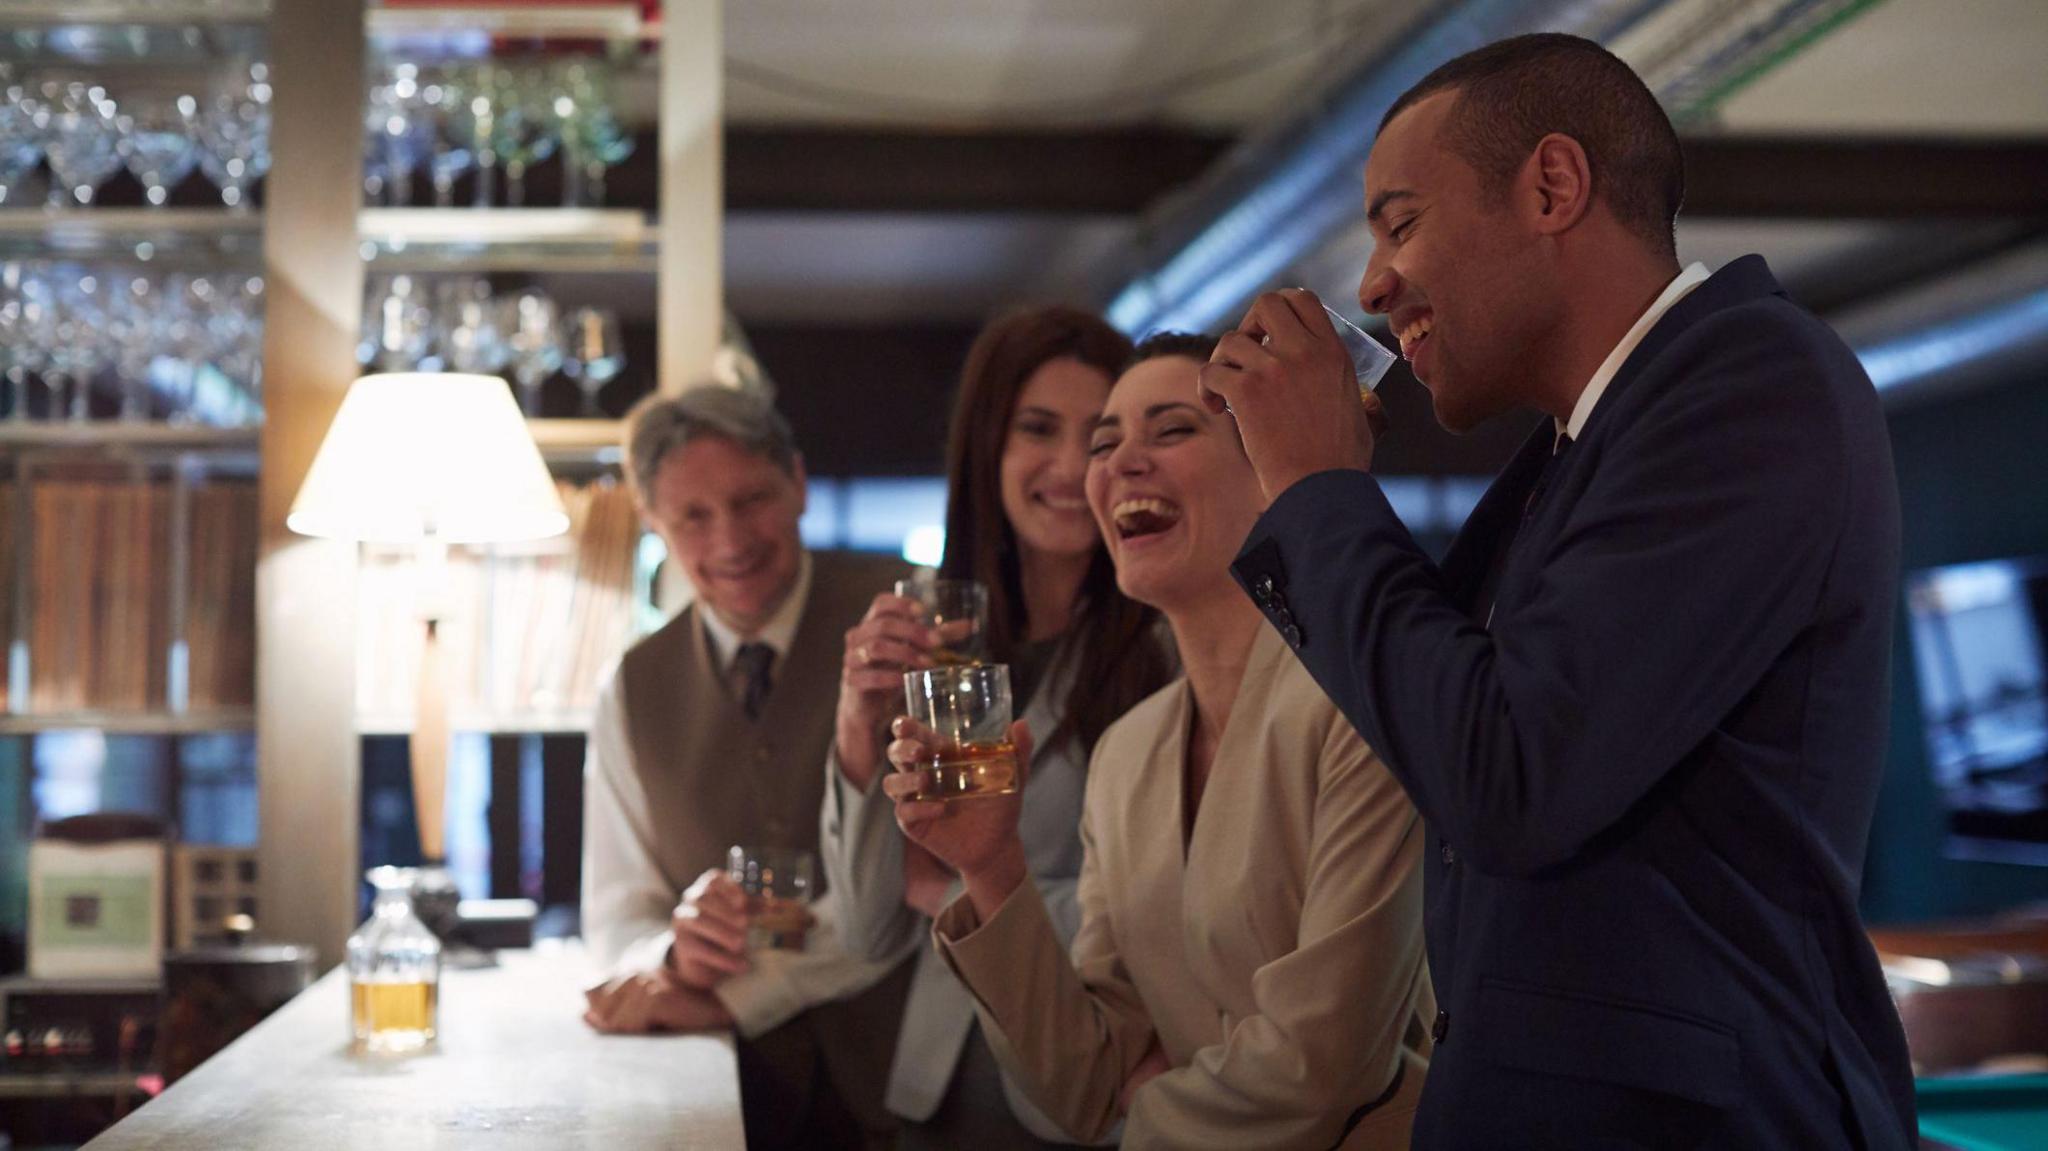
394, 970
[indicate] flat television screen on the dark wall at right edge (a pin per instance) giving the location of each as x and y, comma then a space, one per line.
1981, 660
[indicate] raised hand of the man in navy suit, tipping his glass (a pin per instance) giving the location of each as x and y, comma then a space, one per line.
1287, 380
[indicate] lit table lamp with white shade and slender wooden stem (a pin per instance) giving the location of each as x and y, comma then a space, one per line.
429, 460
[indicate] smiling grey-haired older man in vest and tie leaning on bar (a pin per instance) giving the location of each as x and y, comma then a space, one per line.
708, 736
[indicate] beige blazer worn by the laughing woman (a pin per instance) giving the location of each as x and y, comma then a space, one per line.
1279, 960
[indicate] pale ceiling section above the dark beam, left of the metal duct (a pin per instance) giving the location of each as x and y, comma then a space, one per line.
951, 62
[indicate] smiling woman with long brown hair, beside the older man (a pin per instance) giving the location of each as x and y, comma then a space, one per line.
1080, 654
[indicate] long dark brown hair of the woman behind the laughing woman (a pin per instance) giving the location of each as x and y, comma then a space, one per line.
1121, 658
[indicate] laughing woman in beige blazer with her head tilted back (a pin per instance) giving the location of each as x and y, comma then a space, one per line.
1250, 964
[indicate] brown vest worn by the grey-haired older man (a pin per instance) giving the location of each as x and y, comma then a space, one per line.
718, 779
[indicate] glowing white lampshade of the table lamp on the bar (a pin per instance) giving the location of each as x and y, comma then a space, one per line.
429, 456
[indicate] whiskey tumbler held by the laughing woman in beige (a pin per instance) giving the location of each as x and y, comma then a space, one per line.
968, 708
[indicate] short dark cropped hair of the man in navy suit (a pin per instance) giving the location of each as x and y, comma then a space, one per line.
1519, 91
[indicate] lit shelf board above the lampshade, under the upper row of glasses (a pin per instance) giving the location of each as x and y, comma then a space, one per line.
507, 239
